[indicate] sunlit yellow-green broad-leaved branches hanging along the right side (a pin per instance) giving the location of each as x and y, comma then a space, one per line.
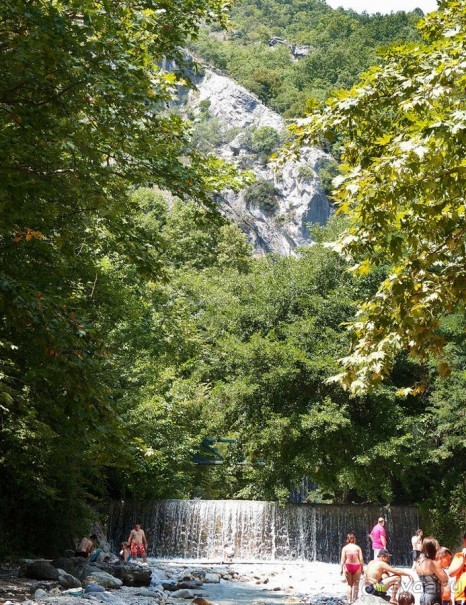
403, 189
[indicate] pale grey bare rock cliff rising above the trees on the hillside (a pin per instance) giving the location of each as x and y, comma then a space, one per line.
298, 197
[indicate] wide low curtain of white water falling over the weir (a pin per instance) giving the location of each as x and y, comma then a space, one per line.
262, 531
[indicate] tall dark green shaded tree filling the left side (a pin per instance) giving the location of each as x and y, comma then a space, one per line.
83, 97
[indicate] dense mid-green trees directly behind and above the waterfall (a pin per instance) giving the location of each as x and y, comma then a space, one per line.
245, 348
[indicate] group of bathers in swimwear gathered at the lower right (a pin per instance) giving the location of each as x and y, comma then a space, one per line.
442, 576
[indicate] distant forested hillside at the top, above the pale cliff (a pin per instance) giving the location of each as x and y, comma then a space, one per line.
340, 44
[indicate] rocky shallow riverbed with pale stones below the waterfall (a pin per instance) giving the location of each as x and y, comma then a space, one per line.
77, 582
